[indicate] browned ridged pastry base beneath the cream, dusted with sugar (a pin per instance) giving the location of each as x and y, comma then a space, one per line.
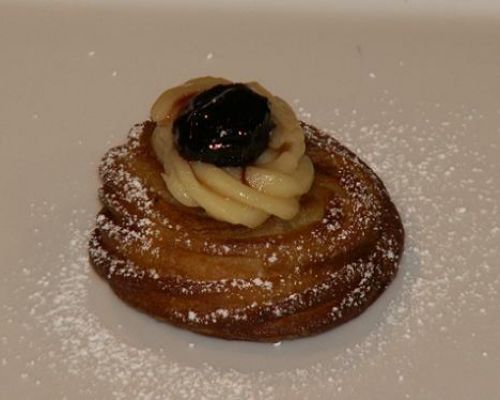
280, 281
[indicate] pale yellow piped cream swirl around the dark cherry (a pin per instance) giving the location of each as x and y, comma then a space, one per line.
238, 195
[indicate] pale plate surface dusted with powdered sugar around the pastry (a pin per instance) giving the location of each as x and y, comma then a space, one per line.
417, 95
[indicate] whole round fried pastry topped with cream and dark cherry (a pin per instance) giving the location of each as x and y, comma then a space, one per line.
225, 215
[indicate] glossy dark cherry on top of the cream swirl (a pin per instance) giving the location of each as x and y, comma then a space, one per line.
227, 125
